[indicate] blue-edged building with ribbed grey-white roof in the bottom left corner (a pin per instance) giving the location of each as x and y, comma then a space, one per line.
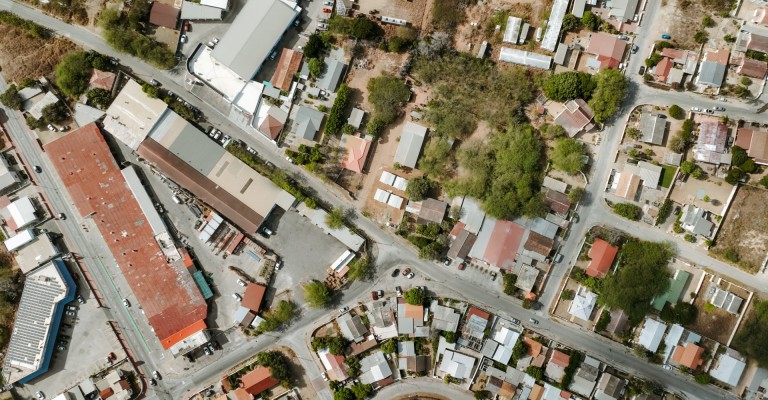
46, 292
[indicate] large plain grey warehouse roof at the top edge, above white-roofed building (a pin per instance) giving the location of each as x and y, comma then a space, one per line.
258, 28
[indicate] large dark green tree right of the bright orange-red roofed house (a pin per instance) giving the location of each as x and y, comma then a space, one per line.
642, 275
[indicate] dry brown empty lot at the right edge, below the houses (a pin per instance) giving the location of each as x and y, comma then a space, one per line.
745, 229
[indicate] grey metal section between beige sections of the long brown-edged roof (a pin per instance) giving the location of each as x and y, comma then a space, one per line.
189, 143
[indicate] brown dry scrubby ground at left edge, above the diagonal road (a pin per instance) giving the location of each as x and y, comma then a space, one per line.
23, 56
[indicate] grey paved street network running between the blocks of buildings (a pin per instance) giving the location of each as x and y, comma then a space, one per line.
393, 251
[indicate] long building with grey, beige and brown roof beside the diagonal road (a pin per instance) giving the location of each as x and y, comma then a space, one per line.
185, 155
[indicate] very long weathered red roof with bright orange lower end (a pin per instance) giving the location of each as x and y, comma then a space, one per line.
168, 295
